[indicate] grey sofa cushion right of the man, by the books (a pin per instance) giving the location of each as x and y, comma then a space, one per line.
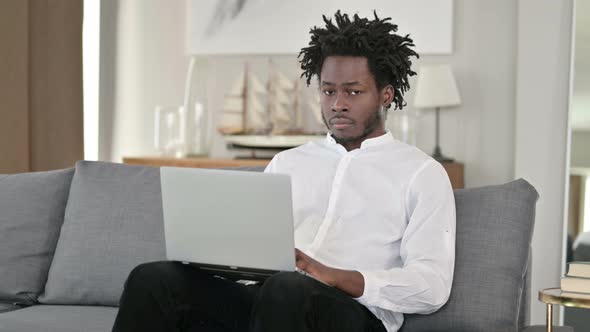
494, 231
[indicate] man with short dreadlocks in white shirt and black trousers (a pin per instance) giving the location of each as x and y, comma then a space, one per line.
374, 217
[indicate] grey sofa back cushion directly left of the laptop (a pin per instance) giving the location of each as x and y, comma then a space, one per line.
113, 222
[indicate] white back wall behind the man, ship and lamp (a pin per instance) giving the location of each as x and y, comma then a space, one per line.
147, 67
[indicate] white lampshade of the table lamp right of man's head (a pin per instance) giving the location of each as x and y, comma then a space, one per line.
436, 87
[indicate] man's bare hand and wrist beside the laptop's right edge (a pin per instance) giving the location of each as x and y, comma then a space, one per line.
351, 282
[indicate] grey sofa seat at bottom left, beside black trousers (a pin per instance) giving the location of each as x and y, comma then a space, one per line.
59, 318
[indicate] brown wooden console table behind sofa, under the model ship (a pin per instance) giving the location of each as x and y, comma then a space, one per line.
454, 169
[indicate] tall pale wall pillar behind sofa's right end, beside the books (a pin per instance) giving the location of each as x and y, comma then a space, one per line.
542, 105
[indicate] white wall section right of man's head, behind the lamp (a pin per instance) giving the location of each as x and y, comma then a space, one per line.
480, 132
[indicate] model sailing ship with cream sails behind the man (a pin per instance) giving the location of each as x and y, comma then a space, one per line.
271, 115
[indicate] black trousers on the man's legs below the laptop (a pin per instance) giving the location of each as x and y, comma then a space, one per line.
170, 296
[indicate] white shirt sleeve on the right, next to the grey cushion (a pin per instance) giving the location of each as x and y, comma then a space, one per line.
423, 283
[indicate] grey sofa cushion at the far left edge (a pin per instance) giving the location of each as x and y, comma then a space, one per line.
31, 214
